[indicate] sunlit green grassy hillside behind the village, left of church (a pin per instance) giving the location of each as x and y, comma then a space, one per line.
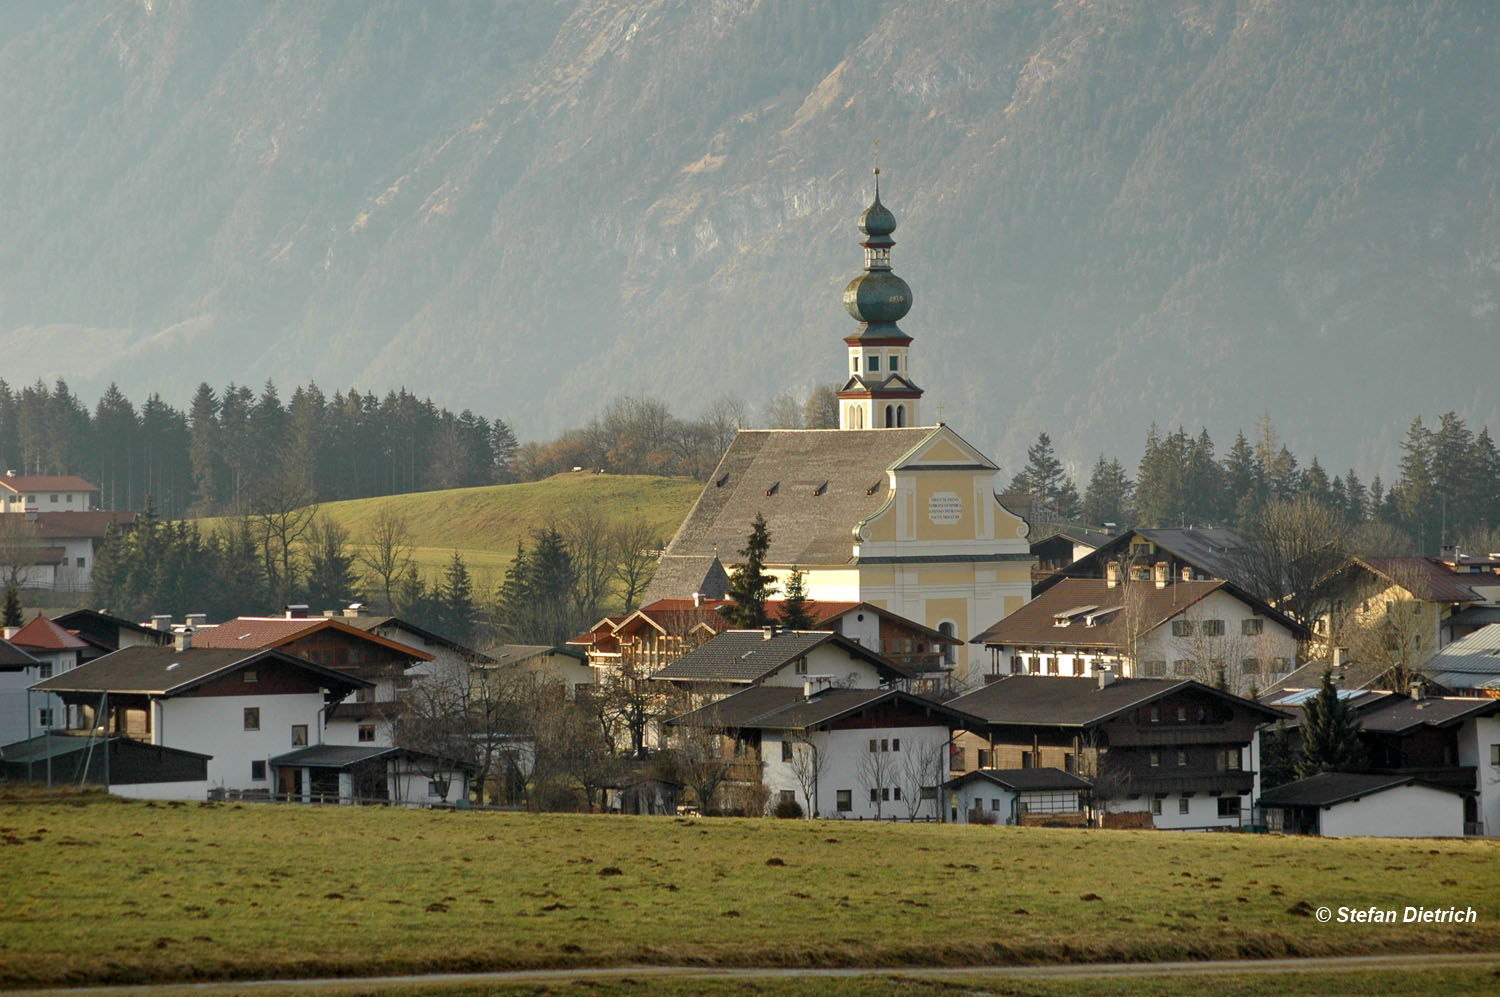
484, 524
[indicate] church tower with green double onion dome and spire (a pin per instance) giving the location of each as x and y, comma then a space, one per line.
880, 394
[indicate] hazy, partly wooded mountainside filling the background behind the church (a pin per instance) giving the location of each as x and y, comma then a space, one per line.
1111, 214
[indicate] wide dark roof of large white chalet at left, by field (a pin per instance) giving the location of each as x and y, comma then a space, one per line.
169, 672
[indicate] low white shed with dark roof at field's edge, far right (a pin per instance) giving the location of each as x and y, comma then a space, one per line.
1360, 804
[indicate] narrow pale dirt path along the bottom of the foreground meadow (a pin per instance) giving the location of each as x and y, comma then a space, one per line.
1094, 971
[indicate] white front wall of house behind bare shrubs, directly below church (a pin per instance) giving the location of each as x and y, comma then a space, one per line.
841, 756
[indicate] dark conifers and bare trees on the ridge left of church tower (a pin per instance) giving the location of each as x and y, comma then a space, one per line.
230, 446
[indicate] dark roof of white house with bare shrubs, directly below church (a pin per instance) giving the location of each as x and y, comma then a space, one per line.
781, 708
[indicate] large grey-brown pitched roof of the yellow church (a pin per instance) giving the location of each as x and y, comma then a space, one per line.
814, 487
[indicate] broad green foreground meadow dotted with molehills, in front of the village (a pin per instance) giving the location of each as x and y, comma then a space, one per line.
118, 891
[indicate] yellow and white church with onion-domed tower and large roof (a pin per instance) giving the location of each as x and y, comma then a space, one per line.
881, 510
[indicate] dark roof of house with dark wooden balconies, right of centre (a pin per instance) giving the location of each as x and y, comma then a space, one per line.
1076, 702
